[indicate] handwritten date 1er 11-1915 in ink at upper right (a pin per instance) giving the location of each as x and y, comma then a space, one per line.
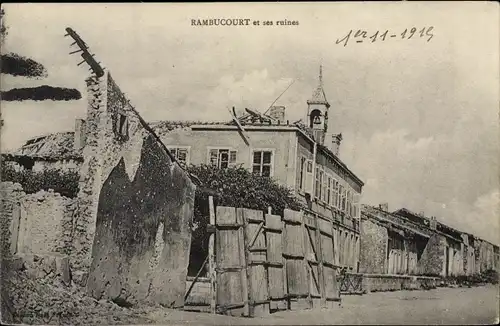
361, 36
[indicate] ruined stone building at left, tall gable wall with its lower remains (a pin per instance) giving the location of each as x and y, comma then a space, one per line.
127, 233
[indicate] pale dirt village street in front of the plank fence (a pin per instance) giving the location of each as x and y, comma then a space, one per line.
448, 306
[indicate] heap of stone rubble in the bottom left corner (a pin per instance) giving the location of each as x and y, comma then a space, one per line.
41, 293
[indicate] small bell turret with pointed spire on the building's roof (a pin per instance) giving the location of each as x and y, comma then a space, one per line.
317, 111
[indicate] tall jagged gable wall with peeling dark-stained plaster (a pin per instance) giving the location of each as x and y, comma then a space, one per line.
135, 206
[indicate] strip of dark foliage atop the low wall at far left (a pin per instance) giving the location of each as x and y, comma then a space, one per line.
63, 182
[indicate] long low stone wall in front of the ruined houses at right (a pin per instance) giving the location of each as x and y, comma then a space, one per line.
385, 282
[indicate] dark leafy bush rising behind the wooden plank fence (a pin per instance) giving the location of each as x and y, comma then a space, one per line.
234, 187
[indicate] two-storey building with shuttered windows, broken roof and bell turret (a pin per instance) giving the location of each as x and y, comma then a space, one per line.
303, 157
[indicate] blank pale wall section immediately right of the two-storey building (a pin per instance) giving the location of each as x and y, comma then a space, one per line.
373, 248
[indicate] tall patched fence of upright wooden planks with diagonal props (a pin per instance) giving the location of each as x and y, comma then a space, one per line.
266, 263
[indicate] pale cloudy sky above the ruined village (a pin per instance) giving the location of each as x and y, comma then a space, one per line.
419, 118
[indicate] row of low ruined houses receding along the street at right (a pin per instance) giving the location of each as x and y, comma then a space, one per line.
407, 243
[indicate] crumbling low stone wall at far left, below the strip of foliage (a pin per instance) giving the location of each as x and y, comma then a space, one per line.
36, 234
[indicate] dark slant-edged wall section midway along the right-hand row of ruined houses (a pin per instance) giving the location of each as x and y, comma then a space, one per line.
432, 260
